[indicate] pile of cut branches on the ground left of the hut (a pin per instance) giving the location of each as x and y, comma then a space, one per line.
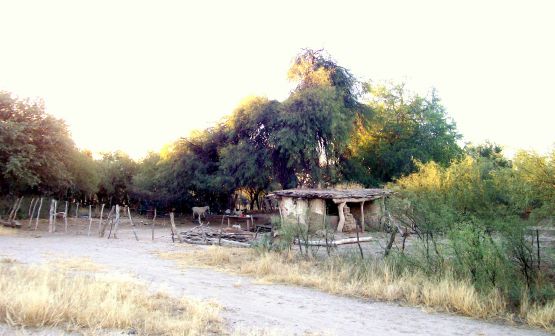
204, 235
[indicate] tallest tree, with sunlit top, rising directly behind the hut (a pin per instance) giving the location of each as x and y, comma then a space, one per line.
317, 121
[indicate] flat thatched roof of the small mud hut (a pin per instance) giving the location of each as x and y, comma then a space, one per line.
336, 194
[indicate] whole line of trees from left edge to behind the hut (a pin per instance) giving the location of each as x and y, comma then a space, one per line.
332, 128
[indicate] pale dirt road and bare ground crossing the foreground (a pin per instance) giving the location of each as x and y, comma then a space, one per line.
281, 309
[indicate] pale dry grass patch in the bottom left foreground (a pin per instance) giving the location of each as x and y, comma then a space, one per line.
40, 296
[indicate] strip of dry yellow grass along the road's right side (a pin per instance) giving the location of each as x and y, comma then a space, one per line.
374, 280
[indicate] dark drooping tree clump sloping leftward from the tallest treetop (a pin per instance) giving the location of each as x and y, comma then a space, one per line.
266, 144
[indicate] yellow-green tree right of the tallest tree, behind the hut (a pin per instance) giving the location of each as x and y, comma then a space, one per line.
404, 129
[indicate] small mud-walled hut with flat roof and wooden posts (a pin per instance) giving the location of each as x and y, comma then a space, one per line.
344, 209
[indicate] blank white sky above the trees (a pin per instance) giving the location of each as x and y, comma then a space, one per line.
134, 75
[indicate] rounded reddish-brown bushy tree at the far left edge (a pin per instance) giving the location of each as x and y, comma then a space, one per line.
37, 154
